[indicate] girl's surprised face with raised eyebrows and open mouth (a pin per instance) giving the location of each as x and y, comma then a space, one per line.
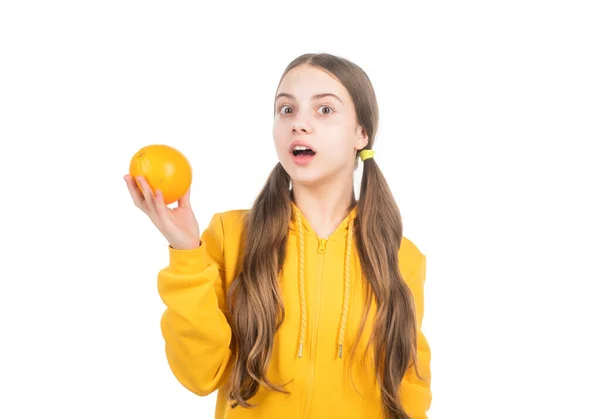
325, 124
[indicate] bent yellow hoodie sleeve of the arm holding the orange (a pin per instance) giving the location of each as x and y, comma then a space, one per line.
196, 332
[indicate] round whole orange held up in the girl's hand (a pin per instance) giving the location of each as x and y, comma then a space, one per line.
164, 168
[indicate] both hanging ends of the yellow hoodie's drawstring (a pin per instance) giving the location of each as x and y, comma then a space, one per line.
344, 315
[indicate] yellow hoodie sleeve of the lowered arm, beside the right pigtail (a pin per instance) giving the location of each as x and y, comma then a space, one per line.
416, 393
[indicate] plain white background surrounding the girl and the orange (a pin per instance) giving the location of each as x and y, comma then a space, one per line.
490, 113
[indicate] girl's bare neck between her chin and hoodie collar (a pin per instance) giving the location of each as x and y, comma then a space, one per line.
325, 206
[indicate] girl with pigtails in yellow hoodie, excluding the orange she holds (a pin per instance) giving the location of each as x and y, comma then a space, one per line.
309, 304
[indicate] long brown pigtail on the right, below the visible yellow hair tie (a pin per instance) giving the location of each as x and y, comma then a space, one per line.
394, 335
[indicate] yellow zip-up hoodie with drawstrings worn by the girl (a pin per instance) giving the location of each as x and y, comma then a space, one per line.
323, 296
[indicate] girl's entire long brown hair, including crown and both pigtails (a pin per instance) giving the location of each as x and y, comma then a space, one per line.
254, 300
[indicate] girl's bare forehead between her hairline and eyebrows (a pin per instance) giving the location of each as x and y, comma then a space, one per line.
306, 80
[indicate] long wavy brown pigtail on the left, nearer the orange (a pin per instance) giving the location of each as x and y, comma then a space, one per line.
254, 299
